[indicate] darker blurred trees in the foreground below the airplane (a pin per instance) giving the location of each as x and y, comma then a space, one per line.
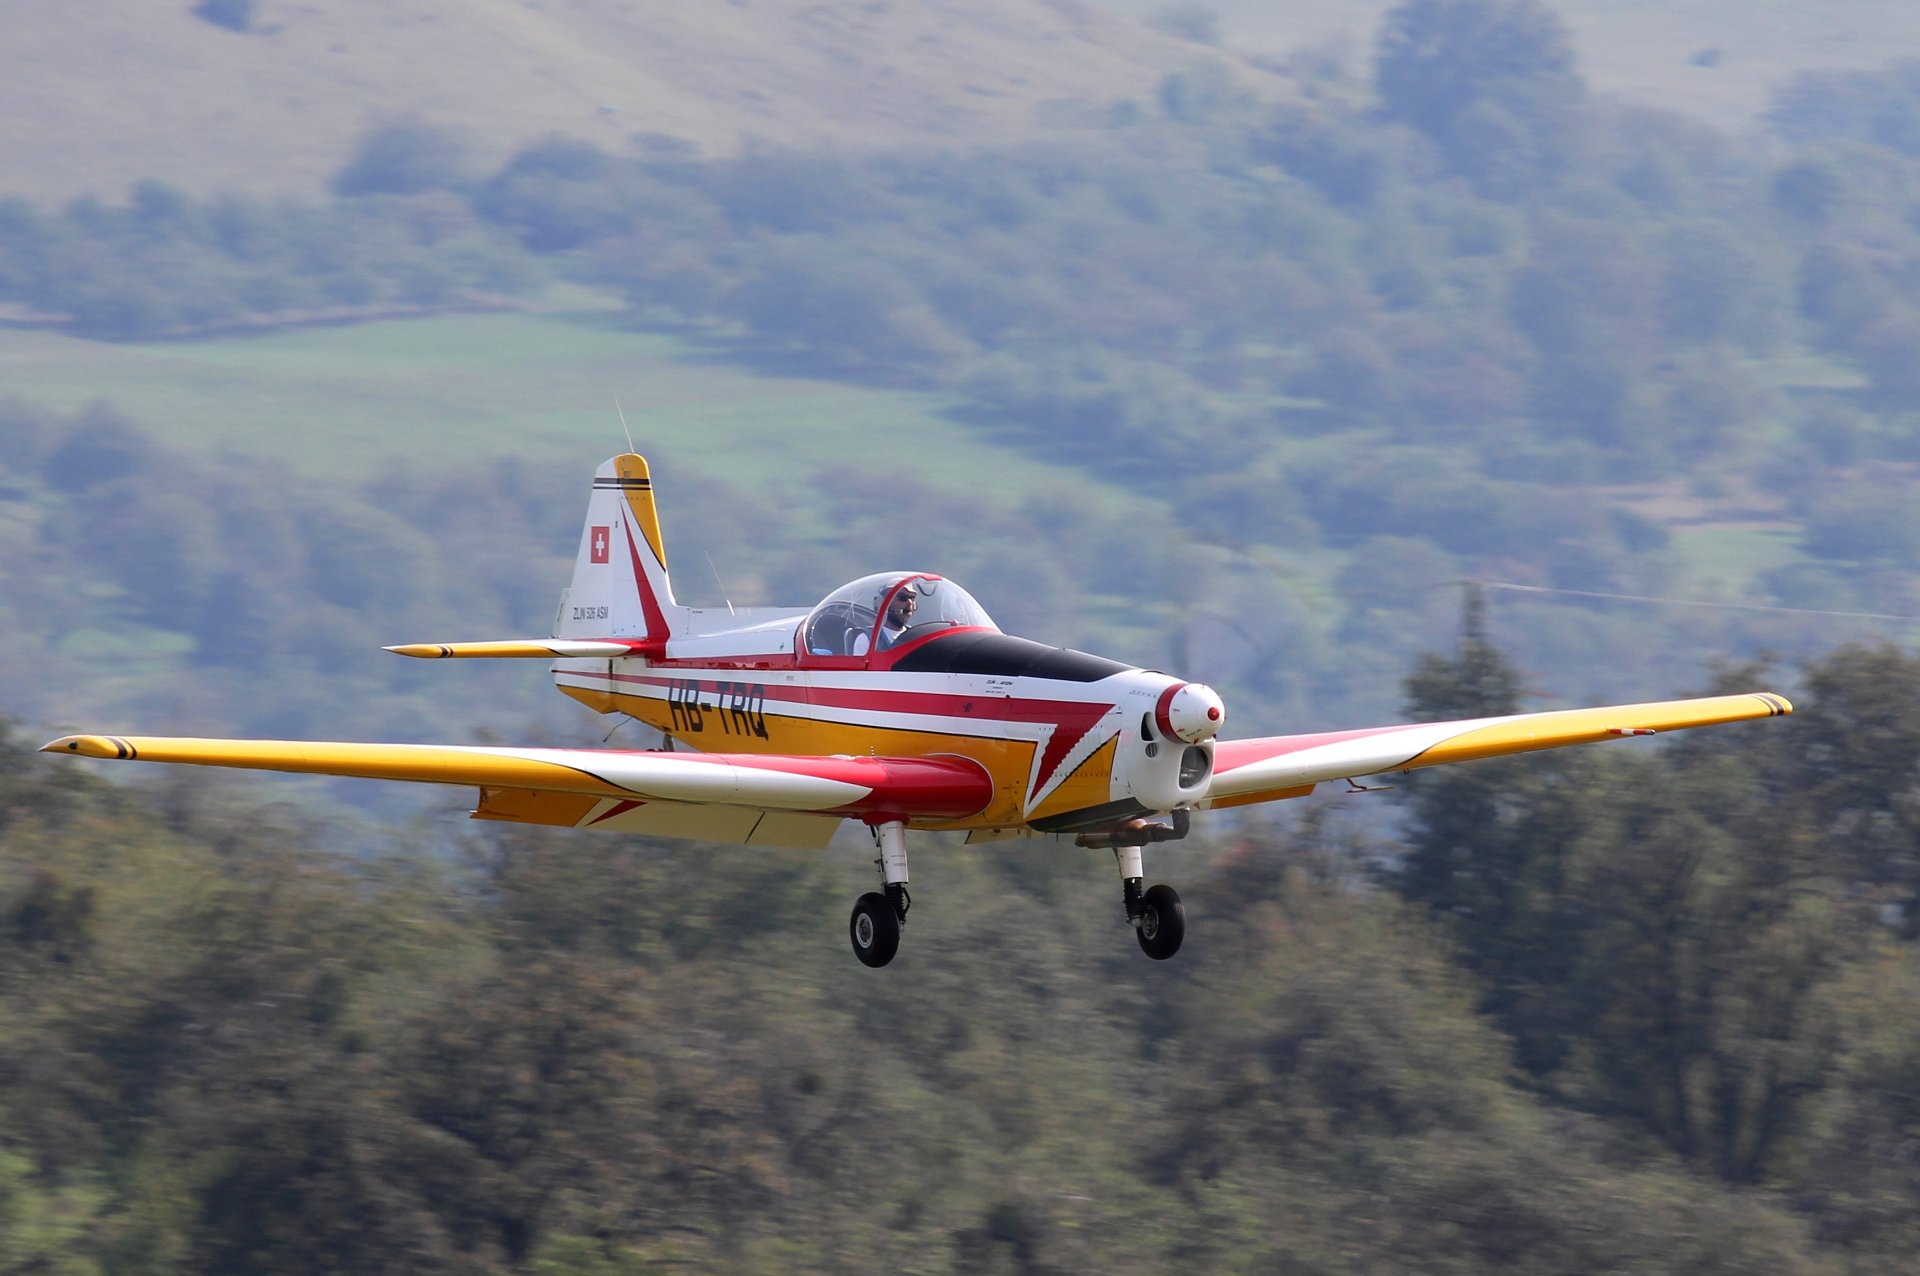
1639, 1008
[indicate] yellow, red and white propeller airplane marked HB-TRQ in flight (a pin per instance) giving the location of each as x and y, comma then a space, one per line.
898, 703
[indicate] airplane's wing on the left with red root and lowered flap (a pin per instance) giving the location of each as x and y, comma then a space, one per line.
754, 799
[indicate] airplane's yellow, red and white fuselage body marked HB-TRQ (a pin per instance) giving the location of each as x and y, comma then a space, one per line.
1068, 740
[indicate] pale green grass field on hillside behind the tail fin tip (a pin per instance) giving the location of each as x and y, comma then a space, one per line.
356, 400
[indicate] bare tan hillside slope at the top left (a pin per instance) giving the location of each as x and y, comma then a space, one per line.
268, 97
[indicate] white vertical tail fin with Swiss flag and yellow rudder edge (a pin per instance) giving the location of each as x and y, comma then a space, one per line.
621, 584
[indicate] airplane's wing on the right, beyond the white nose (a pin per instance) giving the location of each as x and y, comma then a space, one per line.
1287, 767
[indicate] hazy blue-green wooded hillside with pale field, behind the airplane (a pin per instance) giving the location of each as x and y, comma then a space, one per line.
1264, 383
